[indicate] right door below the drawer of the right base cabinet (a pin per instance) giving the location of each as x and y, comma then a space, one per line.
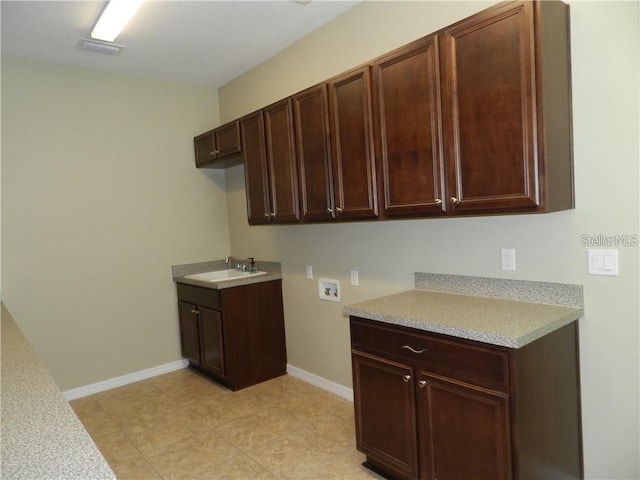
467, 428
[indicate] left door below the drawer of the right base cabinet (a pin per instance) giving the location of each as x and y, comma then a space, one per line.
384, 405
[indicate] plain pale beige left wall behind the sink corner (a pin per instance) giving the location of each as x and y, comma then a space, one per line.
99, 198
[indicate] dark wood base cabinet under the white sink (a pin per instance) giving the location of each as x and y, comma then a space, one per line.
235, 335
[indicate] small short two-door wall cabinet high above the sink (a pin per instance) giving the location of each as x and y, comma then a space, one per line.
218, 147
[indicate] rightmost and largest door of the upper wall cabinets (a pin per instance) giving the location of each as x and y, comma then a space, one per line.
490, 111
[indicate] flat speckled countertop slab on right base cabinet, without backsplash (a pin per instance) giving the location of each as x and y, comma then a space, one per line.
508, 323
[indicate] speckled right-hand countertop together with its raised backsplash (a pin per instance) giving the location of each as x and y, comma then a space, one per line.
468, 314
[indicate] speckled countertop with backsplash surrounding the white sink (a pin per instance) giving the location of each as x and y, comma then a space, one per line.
179, 273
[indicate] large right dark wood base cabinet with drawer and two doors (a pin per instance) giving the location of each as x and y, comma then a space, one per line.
434, 407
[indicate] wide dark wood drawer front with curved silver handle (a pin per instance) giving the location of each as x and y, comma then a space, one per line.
464, 360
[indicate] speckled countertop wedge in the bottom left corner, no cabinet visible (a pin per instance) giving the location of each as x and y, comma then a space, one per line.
42, 437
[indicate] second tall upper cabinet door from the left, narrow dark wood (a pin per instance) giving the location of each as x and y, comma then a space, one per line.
281, 157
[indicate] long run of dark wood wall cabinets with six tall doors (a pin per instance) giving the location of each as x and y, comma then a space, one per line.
473, 119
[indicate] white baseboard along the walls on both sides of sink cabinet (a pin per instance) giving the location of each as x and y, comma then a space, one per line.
320, 382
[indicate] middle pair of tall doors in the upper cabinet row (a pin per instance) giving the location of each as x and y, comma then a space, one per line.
334, 139
